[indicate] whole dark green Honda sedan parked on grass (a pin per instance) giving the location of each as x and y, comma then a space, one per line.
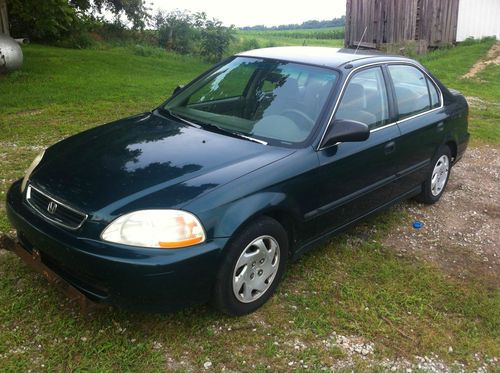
250, 165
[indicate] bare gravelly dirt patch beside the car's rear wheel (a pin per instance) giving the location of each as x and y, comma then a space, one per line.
460, 233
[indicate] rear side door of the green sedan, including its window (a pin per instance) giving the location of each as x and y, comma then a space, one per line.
421, 120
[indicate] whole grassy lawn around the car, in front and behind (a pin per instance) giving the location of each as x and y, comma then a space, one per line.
352, 286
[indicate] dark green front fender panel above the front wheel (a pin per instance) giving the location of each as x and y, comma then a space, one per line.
281, 189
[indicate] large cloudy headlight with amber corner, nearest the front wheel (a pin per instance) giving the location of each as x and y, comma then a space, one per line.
170, 229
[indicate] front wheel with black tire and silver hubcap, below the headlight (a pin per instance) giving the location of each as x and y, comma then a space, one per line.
254, 264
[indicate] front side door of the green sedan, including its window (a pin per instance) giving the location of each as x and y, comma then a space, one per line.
355, 178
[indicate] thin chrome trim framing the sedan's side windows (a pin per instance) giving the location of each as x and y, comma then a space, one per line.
380, 63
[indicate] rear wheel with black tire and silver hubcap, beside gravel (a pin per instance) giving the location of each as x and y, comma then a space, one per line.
437, 179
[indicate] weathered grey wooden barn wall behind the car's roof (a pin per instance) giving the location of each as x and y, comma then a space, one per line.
428, 22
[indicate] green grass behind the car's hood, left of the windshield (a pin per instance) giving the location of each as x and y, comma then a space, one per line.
59, 92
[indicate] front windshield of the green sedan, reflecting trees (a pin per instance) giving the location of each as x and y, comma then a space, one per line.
273, 101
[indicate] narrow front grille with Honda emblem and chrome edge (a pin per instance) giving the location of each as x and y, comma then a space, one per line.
53, 210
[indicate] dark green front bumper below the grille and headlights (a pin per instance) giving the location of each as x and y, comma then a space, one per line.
117, 274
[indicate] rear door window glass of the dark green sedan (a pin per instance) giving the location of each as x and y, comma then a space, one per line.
412, 90
